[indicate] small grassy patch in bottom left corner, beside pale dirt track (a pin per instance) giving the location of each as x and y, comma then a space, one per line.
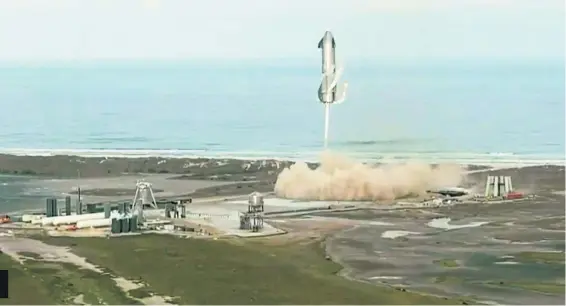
45, 283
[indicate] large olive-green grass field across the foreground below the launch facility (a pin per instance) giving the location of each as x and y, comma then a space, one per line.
199, 271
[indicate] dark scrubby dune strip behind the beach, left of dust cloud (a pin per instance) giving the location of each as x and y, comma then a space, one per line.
65, 166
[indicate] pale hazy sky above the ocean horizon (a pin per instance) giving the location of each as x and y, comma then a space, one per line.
171, 29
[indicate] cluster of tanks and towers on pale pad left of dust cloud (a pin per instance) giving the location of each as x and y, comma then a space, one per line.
142, 214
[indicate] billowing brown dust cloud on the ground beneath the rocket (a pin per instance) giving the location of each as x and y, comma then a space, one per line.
339, 178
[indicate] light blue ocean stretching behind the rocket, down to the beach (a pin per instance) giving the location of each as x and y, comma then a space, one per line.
481, 111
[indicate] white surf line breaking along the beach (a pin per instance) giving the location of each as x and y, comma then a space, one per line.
490, 158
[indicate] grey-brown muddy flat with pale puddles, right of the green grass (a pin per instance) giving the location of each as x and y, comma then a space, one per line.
484, 258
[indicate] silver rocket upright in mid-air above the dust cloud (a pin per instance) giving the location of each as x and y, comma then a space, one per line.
330, 91
